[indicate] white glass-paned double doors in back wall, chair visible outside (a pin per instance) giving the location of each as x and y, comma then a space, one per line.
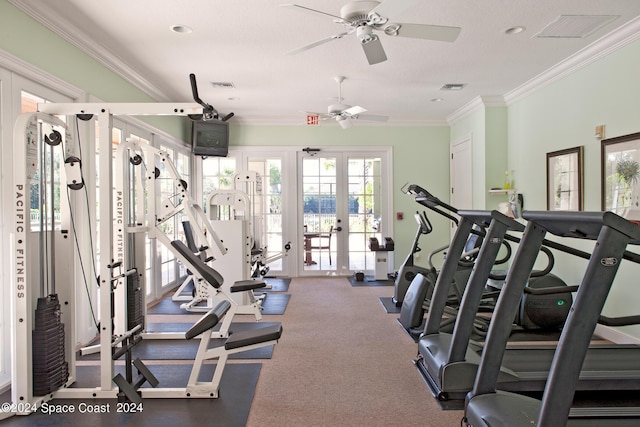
343, 202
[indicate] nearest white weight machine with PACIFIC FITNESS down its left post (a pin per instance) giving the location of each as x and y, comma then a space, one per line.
115, 268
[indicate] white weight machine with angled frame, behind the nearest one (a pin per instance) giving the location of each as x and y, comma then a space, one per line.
142, 165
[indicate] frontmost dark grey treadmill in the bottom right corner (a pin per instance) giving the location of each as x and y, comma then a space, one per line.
487, 406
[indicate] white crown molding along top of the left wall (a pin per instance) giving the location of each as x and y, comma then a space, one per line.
51, 17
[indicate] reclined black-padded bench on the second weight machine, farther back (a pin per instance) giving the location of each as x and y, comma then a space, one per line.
204, 272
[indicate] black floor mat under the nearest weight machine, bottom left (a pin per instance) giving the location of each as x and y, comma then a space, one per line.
237, 389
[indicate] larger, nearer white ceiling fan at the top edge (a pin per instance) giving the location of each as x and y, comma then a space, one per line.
365, 17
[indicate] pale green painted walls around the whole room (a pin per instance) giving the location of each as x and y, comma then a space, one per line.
561, 115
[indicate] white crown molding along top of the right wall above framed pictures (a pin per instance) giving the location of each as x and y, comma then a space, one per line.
602, 47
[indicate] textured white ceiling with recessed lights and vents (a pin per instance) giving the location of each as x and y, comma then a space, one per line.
245, 42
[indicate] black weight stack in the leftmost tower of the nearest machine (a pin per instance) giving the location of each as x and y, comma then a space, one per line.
50, 369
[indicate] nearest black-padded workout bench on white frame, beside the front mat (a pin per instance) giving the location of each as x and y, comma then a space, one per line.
236, 343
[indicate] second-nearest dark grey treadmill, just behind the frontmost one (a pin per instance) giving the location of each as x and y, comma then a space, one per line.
449, 362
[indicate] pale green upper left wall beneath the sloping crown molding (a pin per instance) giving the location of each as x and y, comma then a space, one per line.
26, 39
